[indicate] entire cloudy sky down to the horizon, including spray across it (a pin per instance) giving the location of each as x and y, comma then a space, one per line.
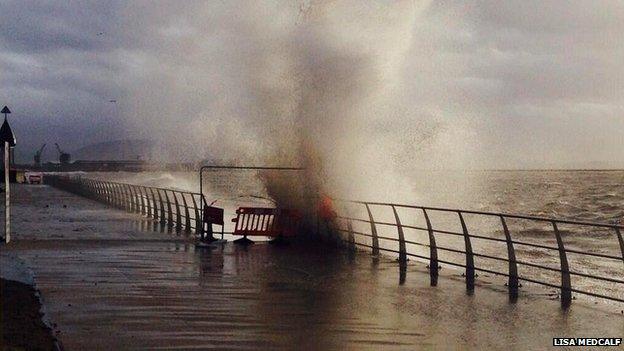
411, 84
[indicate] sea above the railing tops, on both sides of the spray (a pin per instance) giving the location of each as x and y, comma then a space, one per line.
596, 196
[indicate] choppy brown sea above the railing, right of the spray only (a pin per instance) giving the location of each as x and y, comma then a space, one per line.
596, 196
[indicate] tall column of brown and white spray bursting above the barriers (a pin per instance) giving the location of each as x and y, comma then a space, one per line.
345, 65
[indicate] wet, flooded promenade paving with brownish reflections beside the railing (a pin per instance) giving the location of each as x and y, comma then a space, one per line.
114, 280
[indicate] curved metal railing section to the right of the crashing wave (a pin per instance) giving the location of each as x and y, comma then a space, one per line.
466, 239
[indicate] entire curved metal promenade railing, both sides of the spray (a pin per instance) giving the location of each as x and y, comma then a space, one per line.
449, 237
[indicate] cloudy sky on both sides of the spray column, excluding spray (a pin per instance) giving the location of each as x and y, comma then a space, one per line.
511, 84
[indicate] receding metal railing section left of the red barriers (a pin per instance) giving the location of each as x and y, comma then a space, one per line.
175, 209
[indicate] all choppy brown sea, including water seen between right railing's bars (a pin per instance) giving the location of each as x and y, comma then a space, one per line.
593, 196
